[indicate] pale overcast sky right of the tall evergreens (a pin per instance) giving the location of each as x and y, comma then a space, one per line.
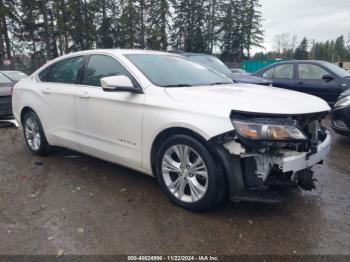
315, 19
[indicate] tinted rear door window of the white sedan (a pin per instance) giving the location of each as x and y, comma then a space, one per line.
65, 71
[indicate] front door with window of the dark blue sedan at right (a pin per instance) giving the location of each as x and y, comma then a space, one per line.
309, 79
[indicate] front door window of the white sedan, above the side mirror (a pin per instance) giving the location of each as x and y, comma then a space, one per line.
100, 66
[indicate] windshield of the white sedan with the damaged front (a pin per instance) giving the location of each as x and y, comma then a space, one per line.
174, 71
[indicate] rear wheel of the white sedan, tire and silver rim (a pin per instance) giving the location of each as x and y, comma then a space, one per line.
34, 135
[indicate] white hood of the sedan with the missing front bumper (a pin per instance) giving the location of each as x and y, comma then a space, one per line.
248, 98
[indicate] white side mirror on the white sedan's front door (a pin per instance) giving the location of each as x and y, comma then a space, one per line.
120, 83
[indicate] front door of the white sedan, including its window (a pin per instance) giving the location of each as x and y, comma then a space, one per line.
109, 123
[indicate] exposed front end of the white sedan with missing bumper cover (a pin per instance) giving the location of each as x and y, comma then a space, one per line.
265, 152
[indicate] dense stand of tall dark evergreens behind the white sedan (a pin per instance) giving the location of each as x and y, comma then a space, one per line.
48, 28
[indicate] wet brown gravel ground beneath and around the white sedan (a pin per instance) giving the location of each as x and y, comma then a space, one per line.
82, 205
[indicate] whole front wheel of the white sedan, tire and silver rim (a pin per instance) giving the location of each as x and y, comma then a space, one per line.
188, 174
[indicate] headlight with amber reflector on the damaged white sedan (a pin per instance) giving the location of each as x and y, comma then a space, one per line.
261, 131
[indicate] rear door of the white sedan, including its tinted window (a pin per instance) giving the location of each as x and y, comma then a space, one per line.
58, 88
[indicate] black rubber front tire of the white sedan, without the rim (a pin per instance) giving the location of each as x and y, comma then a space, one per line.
209, 199
